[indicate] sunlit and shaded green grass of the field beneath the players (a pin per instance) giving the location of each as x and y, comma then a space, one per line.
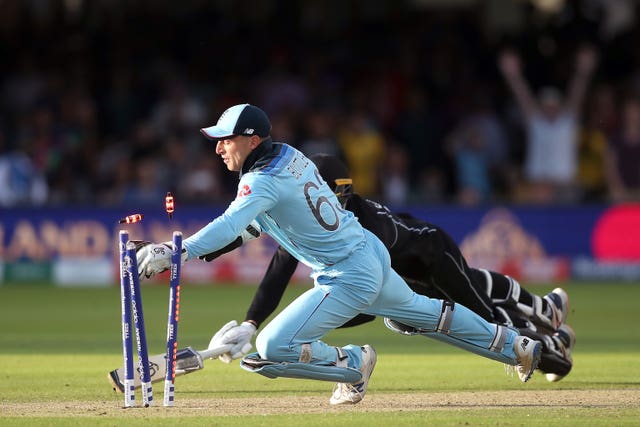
58, 344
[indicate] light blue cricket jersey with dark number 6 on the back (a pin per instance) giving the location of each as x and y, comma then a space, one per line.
283, 190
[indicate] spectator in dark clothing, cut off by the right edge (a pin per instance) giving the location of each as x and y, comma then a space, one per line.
623, 155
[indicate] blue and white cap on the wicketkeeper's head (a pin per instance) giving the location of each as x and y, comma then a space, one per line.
241, 119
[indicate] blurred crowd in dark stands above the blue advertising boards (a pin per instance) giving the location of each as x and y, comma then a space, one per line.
492, 101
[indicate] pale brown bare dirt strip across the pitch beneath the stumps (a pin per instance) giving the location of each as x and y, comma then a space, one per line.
374, 402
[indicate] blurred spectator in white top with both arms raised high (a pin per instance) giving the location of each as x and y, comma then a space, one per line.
552, 127
